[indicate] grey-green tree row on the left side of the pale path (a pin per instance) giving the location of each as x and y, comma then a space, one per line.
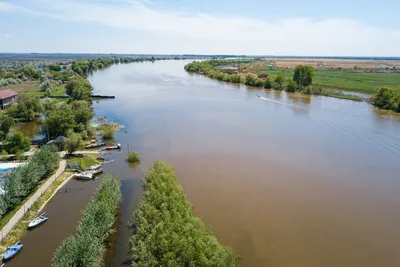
23, 180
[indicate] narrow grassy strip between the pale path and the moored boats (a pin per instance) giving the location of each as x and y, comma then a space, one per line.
21, 227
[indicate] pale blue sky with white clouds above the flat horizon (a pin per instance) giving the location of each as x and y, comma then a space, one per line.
304, 28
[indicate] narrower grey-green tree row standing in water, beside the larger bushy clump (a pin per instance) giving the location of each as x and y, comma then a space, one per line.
88, 245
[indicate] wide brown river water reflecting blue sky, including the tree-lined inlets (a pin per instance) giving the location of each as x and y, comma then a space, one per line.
288, 180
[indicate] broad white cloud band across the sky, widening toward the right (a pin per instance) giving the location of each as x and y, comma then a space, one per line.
213, 34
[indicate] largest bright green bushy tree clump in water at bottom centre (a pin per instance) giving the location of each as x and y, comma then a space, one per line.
167, 233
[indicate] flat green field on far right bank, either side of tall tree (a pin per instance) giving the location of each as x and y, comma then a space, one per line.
348, 81
